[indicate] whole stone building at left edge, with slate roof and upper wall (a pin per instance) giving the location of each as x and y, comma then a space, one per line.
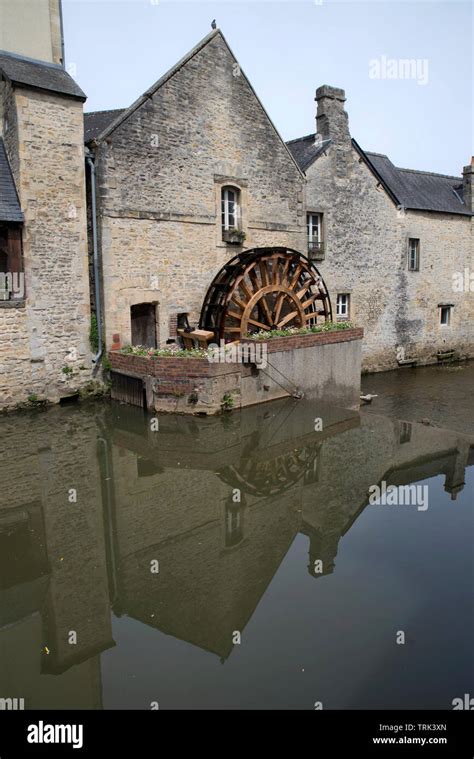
44, 289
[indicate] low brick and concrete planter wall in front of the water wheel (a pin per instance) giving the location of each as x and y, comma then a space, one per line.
325, 365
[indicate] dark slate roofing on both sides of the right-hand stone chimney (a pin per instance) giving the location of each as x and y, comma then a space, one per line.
412, 189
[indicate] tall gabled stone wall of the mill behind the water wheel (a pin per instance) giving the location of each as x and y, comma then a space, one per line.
160, 175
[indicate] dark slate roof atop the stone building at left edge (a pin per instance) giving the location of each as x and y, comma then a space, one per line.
40, 76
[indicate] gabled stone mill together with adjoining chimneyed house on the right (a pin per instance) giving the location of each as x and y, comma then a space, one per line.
387, 241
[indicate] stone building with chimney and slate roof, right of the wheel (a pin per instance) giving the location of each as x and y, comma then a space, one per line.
390, 243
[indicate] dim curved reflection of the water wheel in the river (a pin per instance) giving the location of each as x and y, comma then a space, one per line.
273, 476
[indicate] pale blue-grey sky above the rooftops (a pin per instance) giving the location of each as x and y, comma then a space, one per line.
406, 67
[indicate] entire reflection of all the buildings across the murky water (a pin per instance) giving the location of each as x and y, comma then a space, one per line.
217, 502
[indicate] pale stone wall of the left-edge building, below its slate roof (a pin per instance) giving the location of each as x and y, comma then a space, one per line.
49, 329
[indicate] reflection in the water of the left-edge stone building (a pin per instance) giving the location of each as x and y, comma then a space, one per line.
53, 577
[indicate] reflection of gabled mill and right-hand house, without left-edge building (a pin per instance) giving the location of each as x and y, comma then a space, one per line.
225, 504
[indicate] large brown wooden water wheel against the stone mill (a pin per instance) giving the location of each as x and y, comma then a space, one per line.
264, 289
